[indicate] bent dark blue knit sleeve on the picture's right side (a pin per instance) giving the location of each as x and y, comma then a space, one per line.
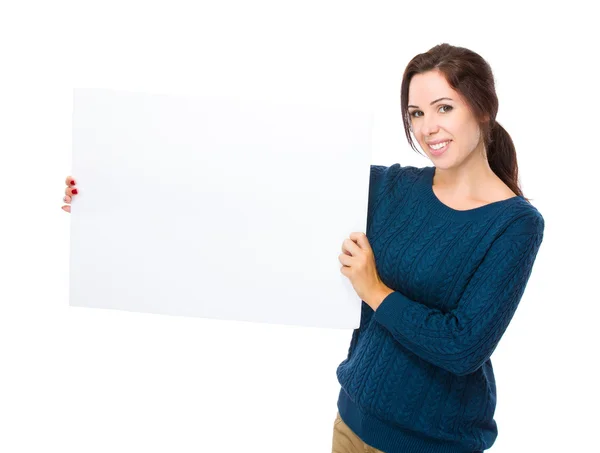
463, 339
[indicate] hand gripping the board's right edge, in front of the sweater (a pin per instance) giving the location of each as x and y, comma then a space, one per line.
359, 266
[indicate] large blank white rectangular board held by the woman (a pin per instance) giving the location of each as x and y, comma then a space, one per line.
216, 207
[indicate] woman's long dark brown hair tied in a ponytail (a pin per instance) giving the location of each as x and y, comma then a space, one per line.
471, 76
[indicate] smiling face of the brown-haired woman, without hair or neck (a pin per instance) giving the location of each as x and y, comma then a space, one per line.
437, 113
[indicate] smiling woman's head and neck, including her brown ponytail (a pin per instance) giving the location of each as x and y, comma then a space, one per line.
449, 105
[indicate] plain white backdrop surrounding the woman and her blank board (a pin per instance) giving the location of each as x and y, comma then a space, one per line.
91, 380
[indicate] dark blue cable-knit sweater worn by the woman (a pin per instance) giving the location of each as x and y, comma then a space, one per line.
418, 377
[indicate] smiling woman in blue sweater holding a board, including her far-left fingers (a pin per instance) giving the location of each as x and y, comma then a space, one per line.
445, 260
